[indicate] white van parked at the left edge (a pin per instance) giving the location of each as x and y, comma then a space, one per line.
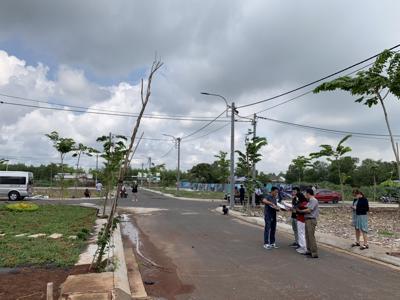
16, 185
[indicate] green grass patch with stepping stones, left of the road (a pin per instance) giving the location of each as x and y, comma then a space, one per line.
43, 251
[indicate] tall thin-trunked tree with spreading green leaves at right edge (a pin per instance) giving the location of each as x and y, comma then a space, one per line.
373, 85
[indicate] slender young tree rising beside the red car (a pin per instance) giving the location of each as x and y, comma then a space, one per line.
334, 155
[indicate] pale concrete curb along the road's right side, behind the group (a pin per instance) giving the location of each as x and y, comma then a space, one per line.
376, 254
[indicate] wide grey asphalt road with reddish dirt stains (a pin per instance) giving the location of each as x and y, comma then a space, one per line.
223, 258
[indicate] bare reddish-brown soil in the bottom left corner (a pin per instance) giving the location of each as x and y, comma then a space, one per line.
31, 283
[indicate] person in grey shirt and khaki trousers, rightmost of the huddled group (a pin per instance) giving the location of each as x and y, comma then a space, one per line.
311, 214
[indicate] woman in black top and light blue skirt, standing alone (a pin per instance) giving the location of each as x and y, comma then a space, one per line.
360, 218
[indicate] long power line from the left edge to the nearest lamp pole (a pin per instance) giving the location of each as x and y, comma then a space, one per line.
121, 114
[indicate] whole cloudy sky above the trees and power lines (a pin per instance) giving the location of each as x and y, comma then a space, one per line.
93, 54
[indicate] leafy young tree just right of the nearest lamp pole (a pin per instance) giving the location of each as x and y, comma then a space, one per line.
247, 160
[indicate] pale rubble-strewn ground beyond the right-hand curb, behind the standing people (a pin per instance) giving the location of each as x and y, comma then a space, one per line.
383, 223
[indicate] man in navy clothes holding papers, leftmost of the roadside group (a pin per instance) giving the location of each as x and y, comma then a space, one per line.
270, 210
